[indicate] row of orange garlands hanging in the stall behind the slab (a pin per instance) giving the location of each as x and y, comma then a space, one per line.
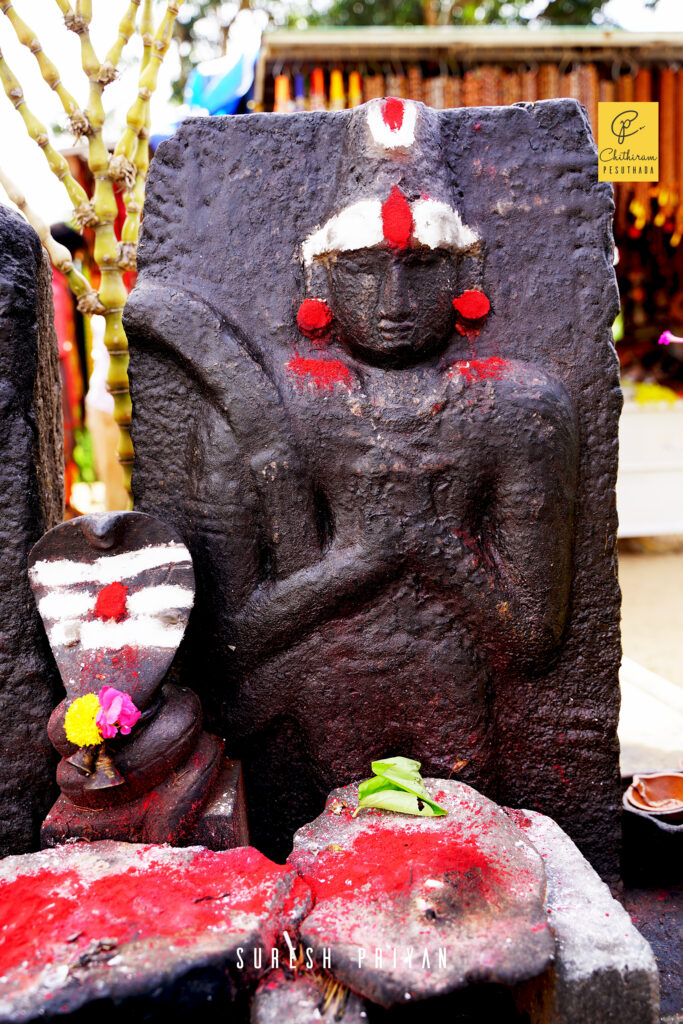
639, 204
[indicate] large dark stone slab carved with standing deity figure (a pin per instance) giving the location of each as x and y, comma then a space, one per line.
374, 391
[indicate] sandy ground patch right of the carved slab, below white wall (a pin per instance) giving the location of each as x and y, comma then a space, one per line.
653, 606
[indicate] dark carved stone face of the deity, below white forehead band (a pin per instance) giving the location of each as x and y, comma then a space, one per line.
394, 308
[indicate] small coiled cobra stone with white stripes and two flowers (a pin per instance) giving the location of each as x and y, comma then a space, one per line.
115, 593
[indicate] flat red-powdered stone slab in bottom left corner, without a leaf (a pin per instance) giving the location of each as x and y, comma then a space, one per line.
114, 921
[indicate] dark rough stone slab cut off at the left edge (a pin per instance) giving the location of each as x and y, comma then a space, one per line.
31, 502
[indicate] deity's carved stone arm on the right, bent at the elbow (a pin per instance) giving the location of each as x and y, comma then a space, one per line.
511, 564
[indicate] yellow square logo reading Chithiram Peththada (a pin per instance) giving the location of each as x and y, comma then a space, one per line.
628, 142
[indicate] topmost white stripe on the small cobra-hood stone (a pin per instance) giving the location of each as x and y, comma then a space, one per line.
108, 569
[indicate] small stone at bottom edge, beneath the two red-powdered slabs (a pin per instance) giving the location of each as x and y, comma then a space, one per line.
298, 1000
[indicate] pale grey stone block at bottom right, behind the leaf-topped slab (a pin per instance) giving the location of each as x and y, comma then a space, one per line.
605, 970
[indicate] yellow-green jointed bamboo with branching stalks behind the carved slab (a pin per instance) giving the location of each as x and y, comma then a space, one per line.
129, 166
